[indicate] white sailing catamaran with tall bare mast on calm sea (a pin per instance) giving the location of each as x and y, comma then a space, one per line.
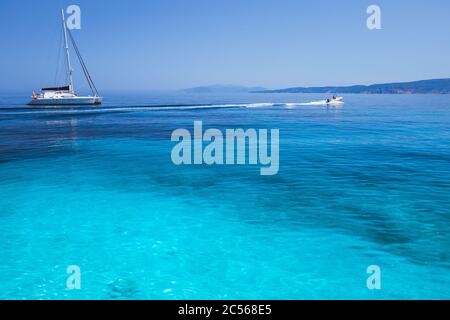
66, 95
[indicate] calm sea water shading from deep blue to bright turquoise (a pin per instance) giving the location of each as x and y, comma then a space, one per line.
364, 184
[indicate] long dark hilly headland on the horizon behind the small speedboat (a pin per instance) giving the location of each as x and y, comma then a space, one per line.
437, 86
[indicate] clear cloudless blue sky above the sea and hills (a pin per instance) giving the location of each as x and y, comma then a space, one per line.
170, 44
